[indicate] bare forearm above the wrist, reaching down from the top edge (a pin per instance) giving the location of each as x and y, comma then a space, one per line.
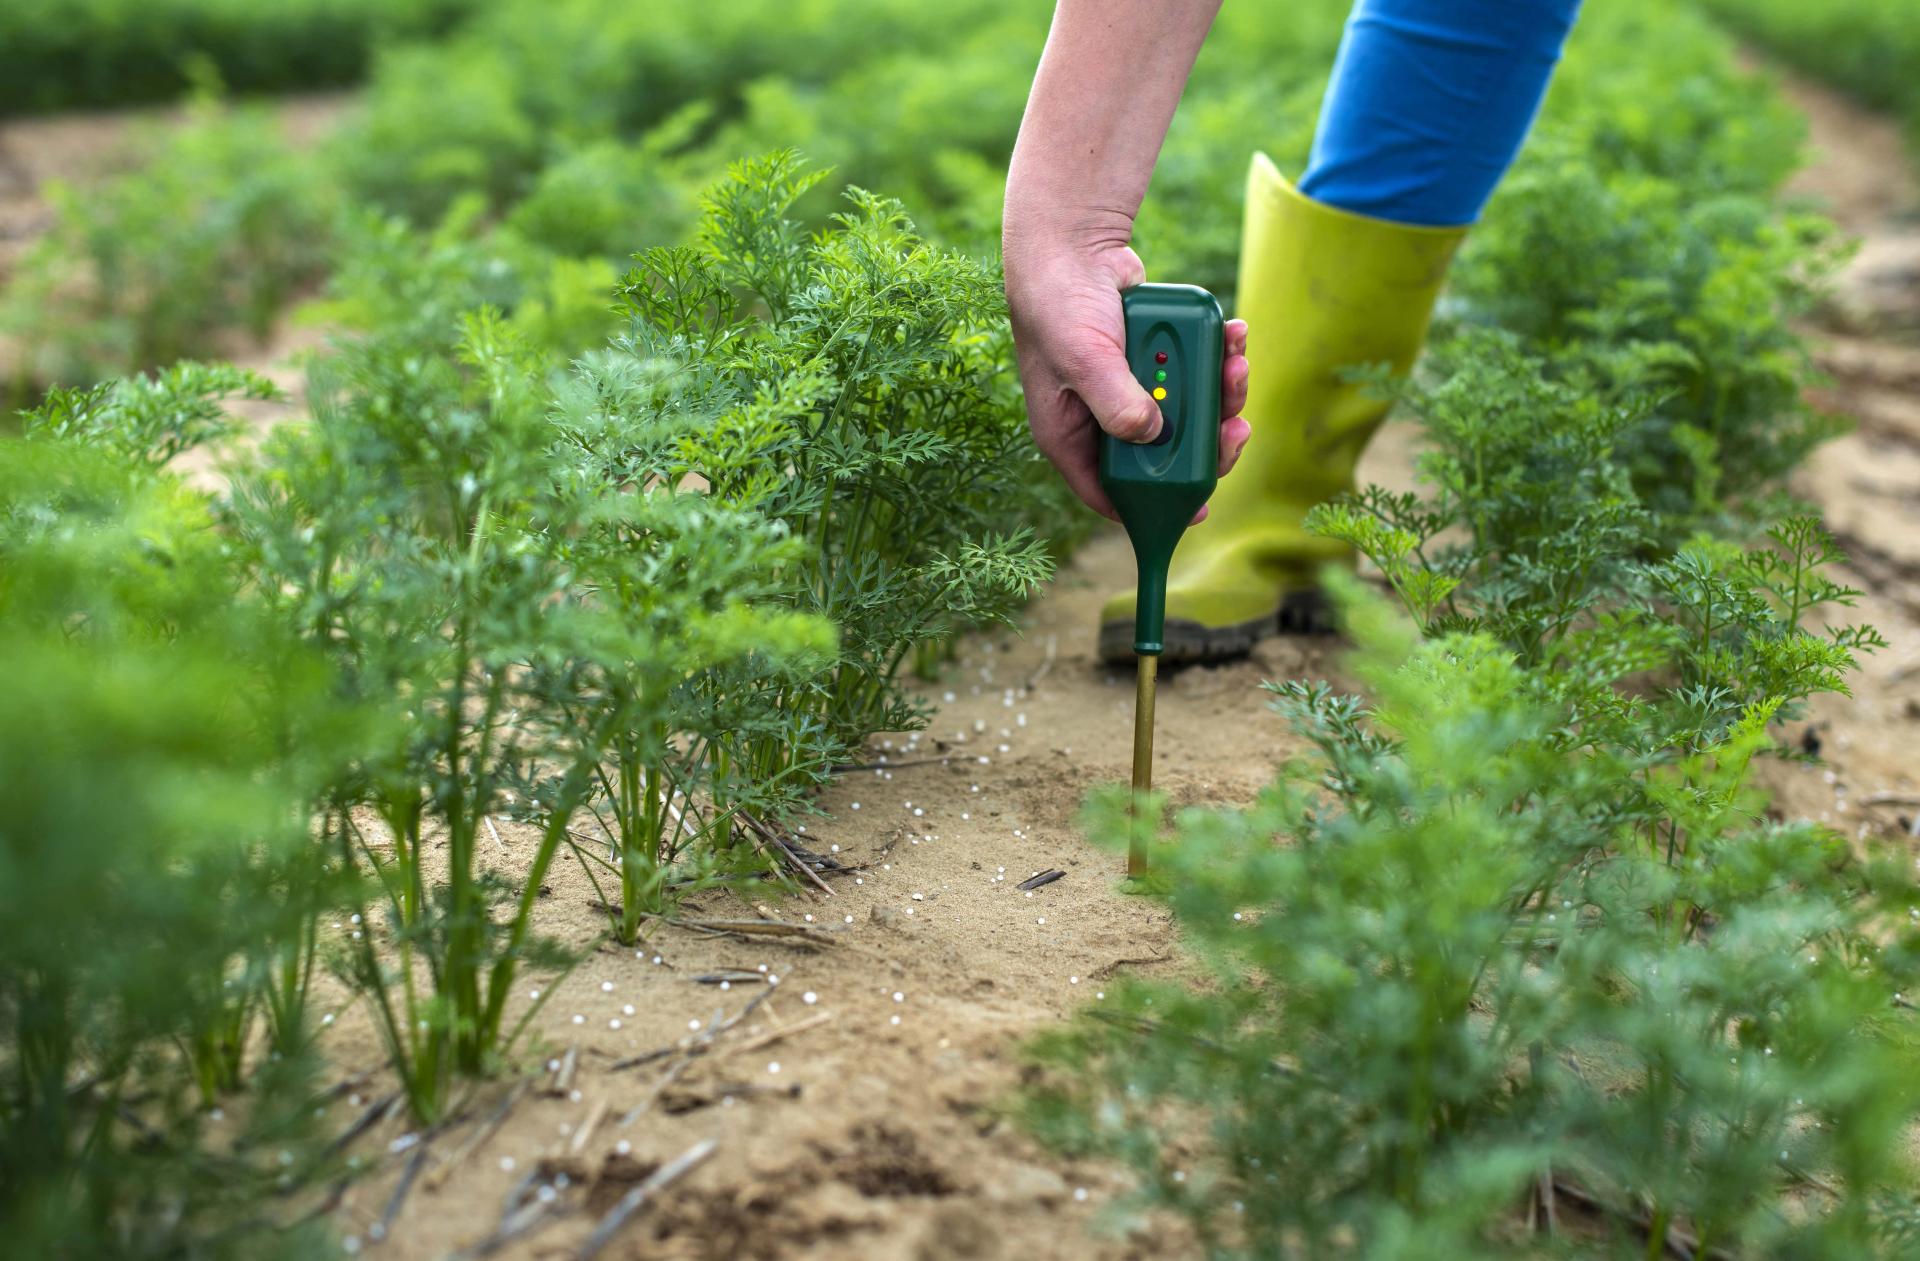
1103, 97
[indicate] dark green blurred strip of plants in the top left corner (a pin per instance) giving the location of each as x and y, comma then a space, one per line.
74, 55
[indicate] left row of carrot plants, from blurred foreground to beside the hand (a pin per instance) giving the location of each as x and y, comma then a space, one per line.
640, 606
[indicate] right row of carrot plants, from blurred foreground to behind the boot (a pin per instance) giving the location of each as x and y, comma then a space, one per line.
1514, 959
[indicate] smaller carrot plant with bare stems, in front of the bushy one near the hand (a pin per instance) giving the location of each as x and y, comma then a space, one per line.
681, 698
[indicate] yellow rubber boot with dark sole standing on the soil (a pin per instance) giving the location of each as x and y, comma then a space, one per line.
1322, 291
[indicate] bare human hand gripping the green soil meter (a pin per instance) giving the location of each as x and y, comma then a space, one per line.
1072, 348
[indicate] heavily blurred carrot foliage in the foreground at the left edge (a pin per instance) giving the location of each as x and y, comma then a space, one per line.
156, 872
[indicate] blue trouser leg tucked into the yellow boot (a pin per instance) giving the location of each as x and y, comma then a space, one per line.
1429, 103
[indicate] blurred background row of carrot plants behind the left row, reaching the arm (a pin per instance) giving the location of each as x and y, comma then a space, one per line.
556, 139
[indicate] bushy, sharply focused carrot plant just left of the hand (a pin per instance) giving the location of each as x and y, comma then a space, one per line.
853, 387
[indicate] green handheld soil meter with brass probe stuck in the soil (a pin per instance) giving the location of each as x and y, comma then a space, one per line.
1176, 345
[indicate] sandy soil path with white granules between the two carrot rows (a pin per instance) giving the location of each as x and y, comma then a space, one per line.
859, 1108
